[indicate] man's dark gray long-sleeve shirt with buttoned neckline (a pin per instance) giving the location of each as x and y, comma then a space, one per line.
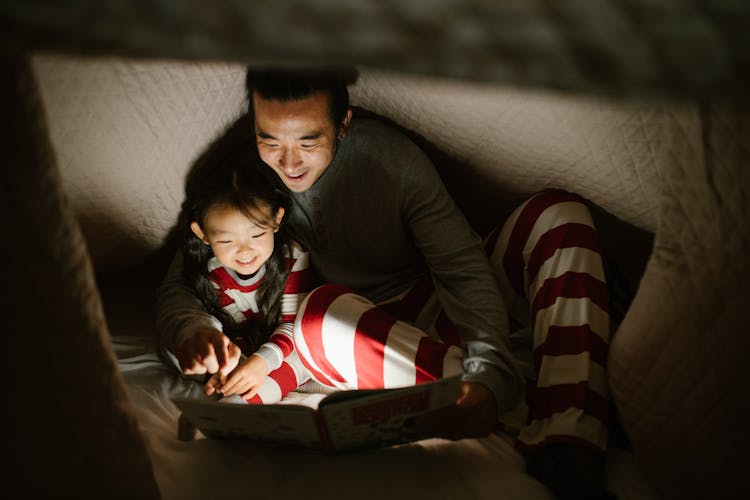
378, 220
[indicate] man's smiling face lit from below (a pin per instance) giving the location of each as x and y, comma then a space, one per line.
295, 138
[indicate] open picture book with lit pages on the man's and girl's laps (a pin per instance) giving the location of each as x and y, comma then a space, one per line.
342, 421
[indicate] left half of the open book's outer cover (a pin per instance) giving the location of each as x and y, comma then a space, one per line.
289, 424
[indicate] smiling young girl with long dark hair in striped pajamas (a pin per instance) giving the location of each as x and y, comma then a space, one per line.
240, 263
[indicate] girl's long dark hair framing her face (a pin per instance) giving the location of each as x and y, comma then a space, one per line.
239, 180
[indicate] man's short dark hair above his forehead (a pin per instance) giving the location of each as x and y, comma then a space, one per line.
299, 82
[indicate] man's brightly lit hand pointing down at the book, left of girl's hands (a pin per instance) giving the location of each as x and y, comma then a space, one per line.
208, 351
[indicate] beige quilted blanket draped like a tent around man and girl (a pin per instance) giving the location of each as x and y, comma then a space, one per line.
655, 133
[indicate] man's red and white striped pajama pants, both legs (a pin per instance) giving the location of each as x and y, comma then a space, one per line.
547, 261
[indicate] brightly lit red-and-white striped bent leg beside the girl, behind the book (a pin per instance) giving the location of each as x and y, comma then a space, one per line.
346, 341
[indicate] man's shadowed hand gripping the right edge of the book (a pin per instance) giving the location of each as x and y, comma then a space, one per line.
475, 415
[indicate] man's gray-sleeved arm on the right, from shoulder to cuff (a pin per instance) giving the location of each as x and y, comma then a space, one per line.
465, 283
